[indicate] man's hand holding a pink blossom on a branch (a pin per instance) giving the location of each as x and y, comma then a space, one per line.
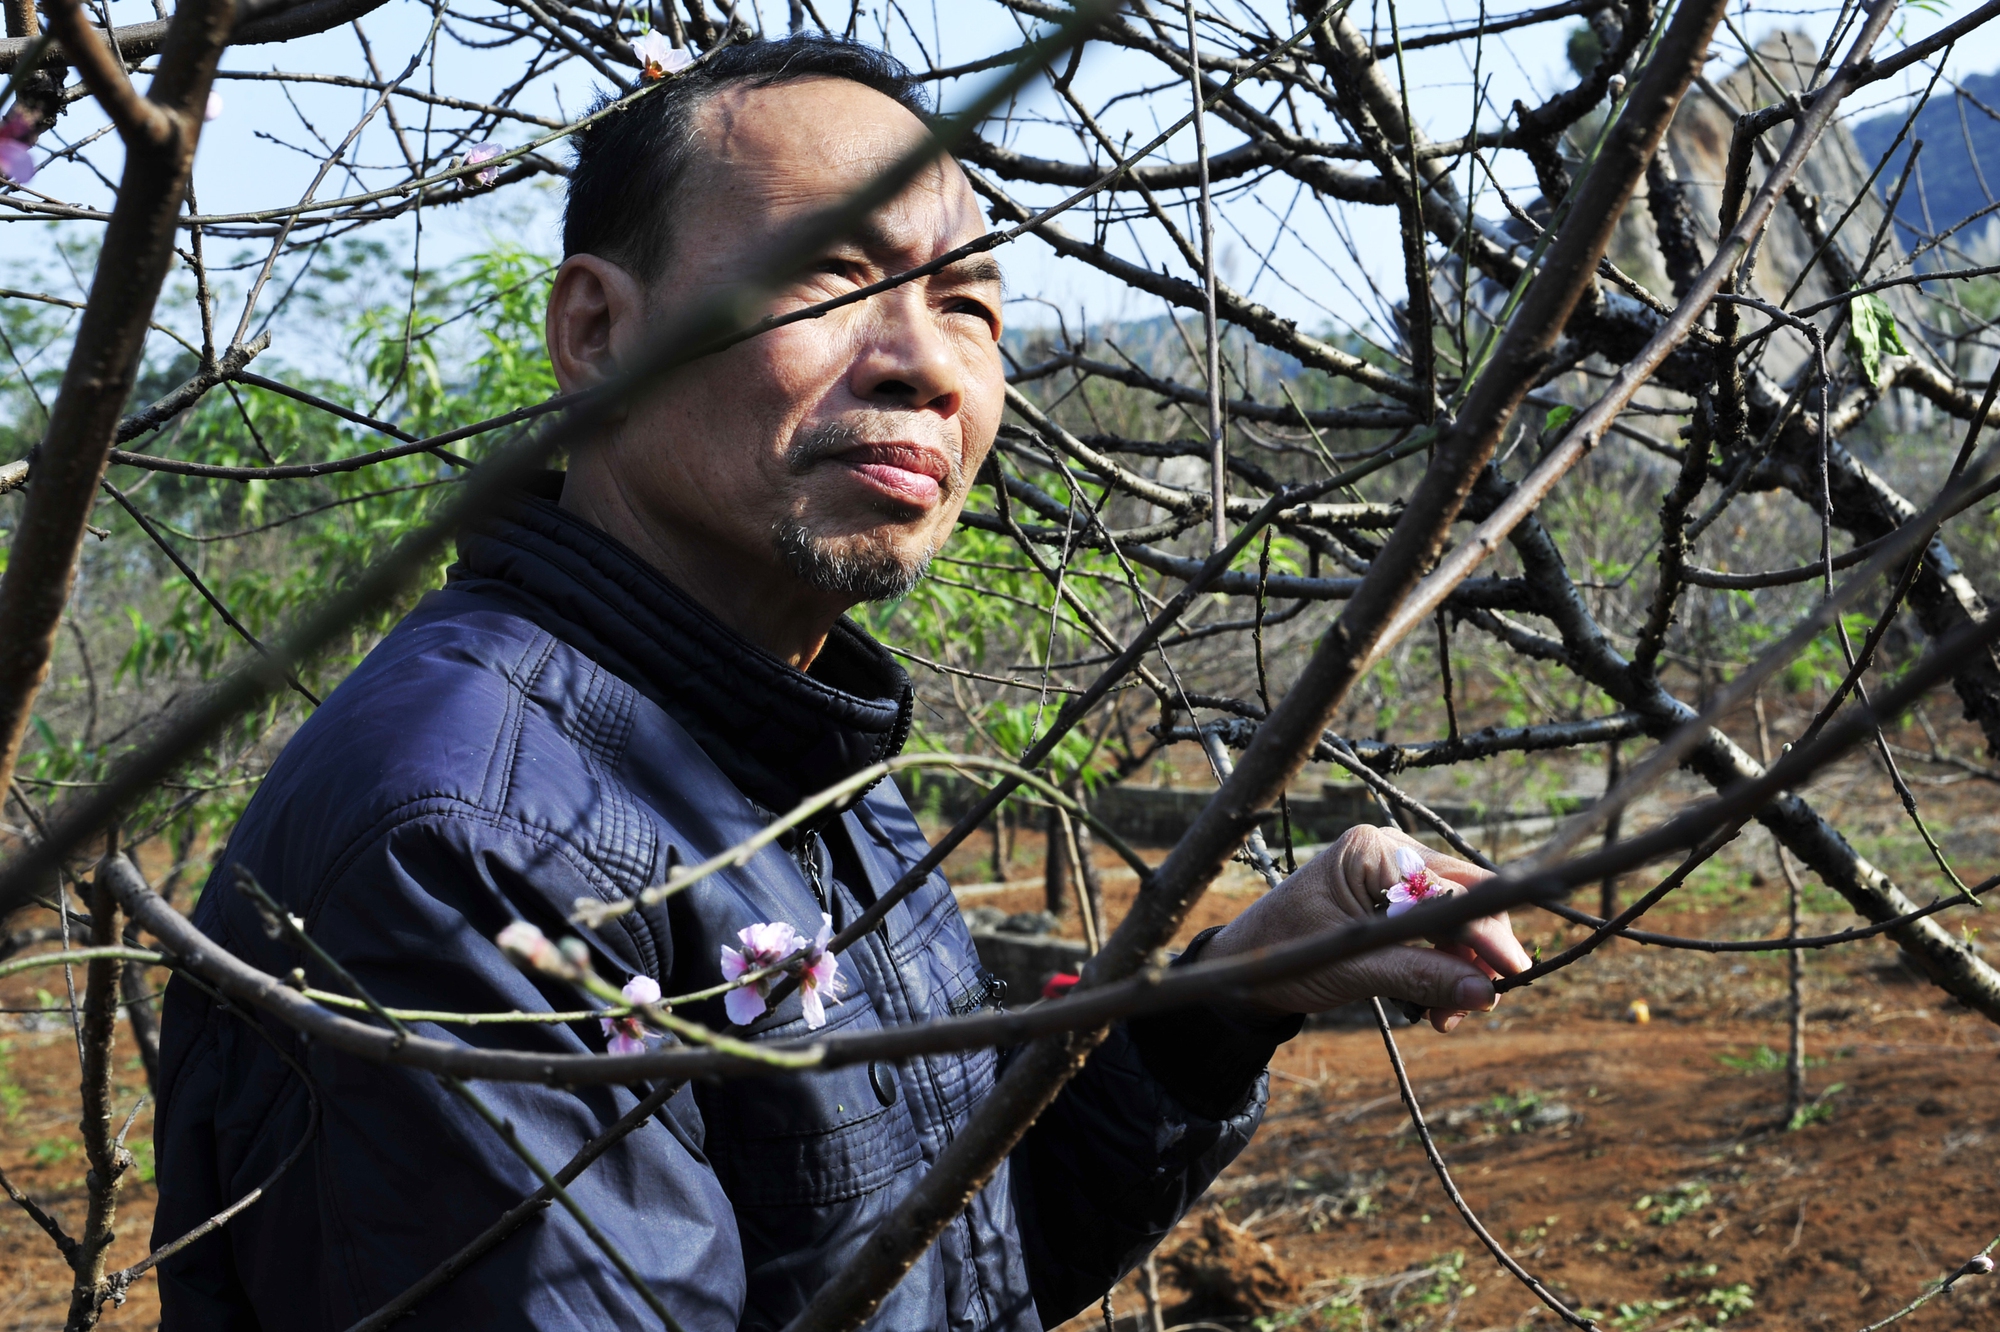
1343, 885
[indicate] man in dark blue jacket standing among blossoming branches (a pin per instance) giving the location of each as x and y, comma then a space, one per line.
637, 669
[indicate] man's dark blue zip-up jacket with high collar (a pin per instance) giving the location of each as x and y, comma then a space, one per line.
555, 725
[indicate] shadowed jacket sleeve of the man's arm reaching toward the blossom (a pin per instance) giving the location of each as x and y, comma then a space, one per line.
1133, 1141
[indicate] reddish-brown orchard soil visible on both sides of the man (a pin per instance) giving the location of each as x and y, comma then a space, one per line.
1637, 1169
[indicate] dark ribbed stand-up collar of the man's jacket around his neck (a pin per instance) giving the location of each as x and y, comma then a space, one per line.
777, 733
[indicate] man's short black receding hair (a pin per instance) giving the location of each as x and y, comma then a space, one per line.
629, 167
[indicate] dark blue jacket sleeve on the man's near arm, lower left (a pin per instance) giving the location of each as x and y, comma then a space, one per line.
399, 1171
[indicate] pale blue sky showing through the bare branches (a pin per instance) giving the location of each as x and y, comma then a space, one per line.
1317, 275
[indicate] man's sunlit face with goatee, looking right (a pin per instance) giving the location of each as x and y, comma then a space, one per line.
839, 449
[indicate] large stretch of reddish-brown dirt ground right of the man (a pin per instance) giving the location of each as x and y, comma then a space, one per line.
1635, 1169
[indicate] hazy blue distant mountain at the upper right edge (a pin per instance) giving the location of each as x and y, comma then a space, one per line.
1953, 165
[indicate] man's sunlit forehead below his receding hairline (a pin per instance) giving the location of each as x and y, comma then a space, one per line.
791, 149
